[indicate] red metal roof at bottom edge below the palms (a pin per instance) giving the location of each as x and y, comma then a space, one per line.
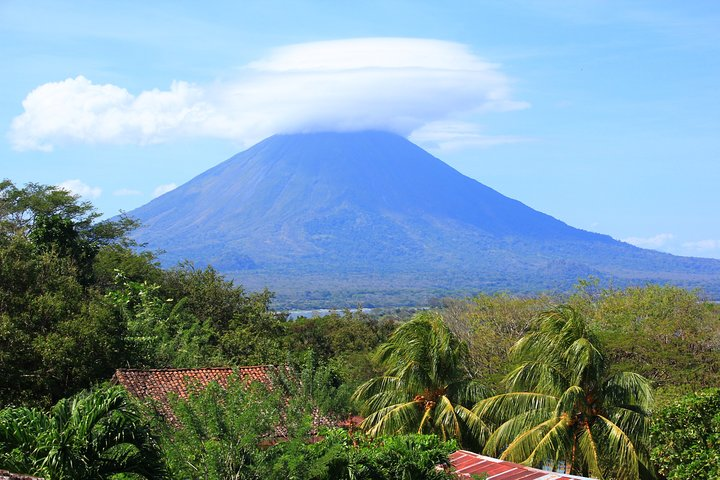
468, 463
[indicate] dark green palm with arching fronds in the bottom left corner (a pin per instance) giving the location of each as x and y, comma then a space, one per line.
92, 435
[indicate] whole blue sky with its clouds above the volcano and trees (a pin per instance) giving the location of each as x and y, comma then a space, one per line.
604, 114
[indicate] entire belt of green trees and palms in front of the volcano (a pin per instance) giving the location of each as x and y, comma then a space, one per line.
613, 383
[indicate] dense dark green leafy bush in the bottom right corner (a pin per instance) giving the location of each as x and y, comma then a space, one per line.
686, 437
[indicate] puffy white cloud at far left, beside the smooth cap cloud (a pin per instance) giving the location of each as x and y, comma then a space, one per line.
76, 110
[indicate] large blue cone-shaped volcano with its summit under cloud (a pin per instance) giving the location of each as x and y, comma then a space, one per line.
329, 219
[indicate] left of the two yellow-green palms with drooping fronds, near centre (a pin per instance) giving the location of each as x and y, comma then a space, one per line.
426, 387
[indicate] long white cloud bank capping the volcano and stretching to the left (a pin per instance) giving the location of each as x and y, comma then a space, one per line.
396, 84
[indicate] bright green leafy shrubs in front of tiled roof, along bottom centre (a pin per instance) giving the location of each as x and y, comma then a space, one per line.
254, 433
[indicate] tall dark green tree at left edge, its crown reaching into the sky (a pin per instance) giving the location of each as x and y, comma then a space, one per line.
57, 330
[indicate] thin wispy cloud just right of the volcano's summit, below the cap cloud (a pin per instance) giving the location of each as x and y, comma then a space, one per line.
454, 135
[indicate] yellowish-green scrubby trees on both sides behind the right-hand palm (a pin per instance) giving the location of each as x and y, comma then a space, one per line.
667, 334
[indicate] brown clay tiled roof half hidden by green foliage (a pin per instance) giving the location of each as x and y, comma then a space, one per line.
157, 384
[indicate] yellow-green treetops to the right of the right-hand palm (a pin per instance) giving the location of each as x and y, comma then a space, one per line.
666, 333
